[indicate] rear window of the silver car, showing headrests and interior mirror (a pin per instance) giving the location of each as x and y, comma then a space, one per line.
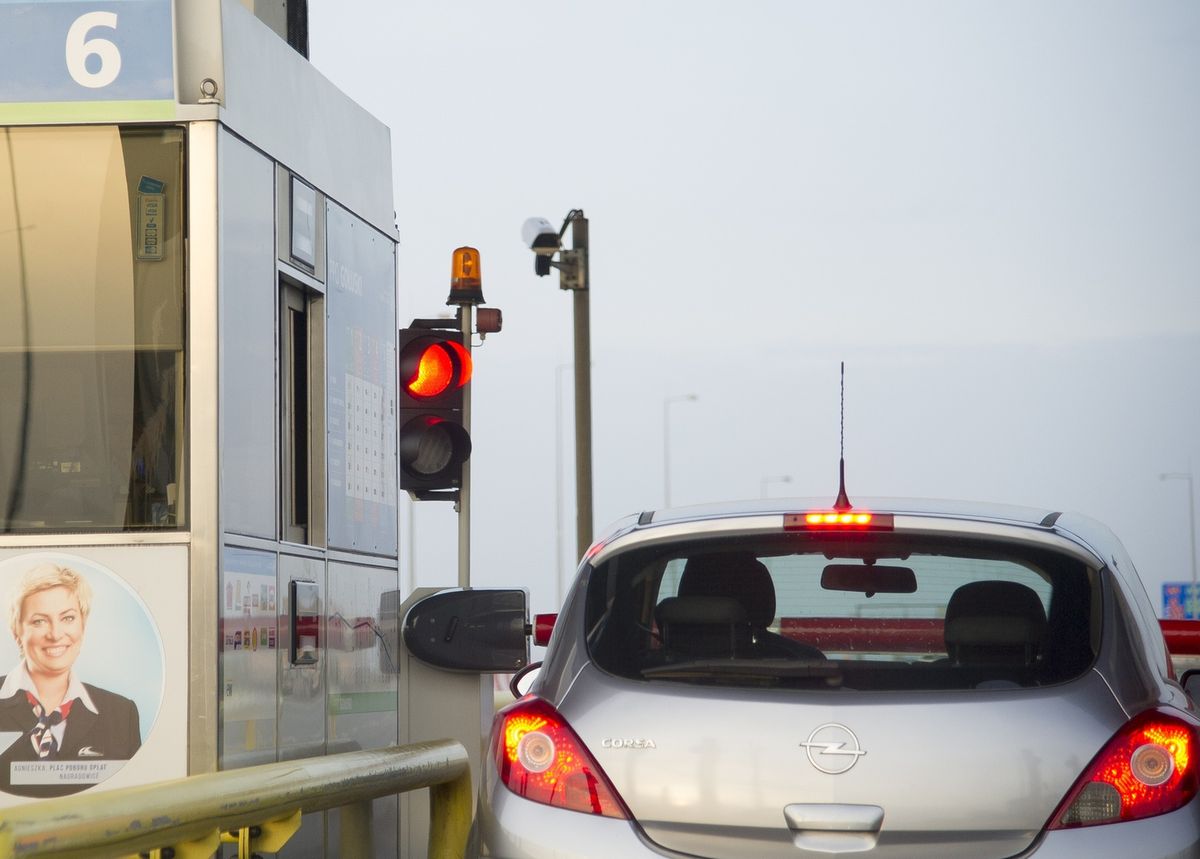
875, 612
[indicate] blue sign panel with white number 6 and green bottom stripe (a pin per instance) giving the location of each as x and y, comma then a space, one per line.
76, 61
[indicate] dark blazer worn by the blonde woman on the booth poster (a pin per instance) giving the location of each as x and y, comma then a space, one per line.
112, 735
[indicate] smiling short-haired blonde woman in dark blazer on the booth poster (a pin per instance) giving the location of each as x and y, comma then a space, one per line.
59, 718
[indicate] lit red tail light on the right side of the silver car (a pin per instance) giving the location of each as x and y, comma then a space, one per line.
1148, 770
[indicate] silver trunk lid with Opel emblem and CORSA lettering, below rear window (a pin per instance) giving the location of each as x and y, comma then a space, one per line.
722, 773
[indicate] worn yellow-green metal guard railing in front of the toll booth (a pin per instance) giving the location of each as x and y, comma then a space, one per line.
260, 808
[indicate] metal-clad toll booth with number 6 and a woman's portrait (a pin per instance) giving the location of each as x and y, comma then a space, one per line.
199, 387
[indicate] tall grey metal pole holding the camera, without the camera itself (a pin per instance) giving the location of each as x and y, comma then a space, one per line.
583, 393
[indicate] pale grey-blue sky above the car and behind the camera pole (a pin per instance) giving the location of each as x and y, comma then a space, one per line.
989, 211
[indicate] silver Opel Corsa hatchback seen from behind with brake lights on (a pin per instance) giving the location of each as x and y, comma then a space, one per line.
893, 680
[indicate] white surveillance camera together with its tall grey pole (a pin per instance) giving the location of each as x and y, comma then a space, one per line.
545, 242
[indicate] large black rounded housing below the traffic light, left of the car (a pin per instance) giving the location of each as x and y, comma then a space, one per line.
479, 632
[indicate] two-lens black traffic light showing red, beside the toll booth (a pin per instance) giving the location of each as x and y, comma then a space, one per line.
435, 368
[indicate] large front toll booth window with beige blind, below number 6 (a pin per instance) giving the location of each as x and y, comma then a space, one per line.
92, 333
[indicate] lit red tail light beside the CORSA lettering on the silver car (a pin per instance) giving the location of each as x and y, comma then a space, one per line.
541, 758
